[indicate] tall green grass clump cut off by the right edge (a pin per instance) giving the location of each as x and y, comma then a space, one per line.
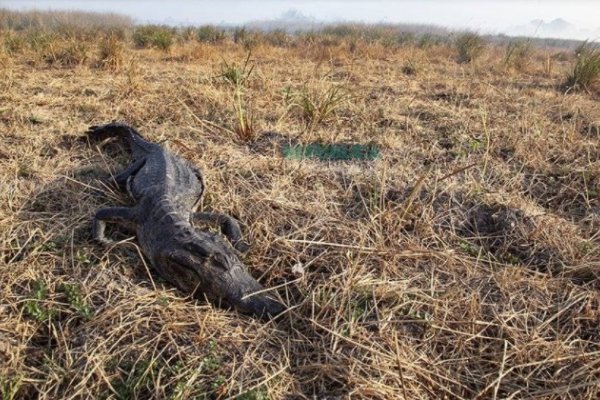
586, 71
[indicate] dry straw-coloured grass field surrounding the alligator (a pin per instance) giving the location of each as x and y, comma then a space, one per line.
462, 264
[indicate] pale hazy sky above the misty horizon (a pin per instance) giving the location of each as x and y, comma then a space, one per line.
485, 16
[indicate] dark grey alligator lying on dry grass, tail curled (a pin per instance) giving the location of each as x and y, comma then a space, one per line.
167, 190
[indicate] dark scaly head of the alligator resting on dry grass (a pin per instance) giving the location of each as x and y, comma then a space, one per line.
208, 267
